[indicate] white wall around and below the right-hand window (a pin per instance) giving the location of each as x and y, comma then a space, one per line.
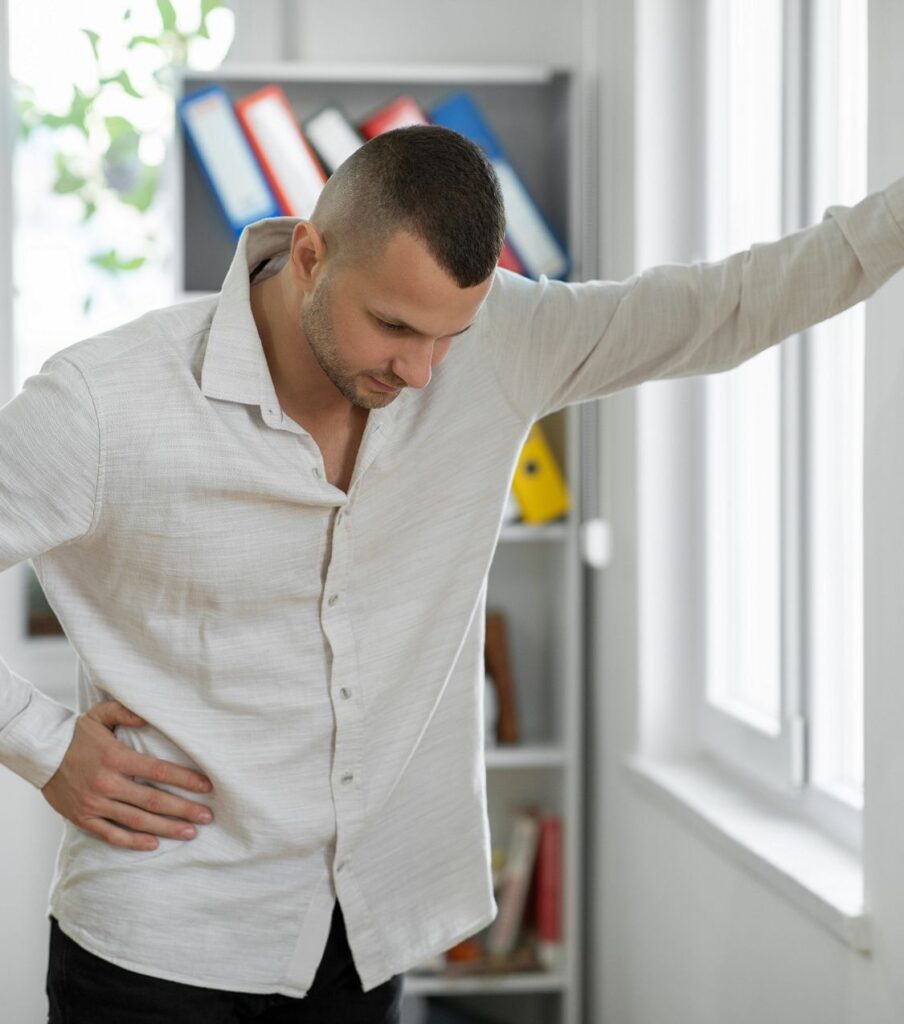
685, 936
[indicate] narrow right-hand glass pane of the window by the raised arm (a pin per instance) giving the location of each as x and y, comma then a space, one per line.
836, 424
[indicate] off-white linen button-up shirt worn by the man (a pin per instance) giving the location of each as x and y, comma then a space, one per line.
320, 655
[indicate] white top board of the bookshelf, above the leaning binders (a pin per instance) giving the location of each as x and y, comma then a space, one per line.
516, 74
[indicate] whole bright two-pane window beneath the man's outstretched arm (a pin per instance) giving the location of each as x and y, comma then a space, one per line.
787, 113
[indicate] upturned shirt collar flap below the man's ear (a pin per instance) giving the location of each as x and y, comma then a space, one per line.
235, 366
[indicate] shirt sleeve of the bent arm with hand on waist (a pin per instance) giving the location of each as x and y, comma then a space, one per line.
50, 475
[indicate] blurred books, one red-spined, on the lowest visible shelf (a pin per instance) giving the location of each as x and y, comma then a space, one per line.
527, 933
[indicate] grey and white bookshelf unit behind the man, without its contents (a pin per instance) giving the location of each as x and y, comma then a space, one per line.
537, 576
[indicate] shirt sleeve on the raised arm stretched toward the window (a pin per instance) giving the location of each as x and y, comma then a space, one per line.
556, 344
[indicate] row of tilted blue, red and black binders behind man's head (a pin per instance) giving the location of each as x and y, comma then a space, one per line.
261, 161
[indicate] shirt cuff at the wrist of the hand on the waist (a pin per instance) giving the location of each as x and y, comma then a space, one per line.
34, 743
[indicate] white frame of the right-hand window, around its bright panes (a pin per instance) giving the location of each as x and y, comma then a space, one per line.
780, 763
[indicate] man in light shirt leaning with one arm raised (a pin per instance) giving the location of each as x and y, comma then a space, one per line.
266, 521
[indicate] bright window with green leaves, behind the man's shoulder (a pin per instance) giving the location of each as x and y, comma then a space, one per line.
92, 236
